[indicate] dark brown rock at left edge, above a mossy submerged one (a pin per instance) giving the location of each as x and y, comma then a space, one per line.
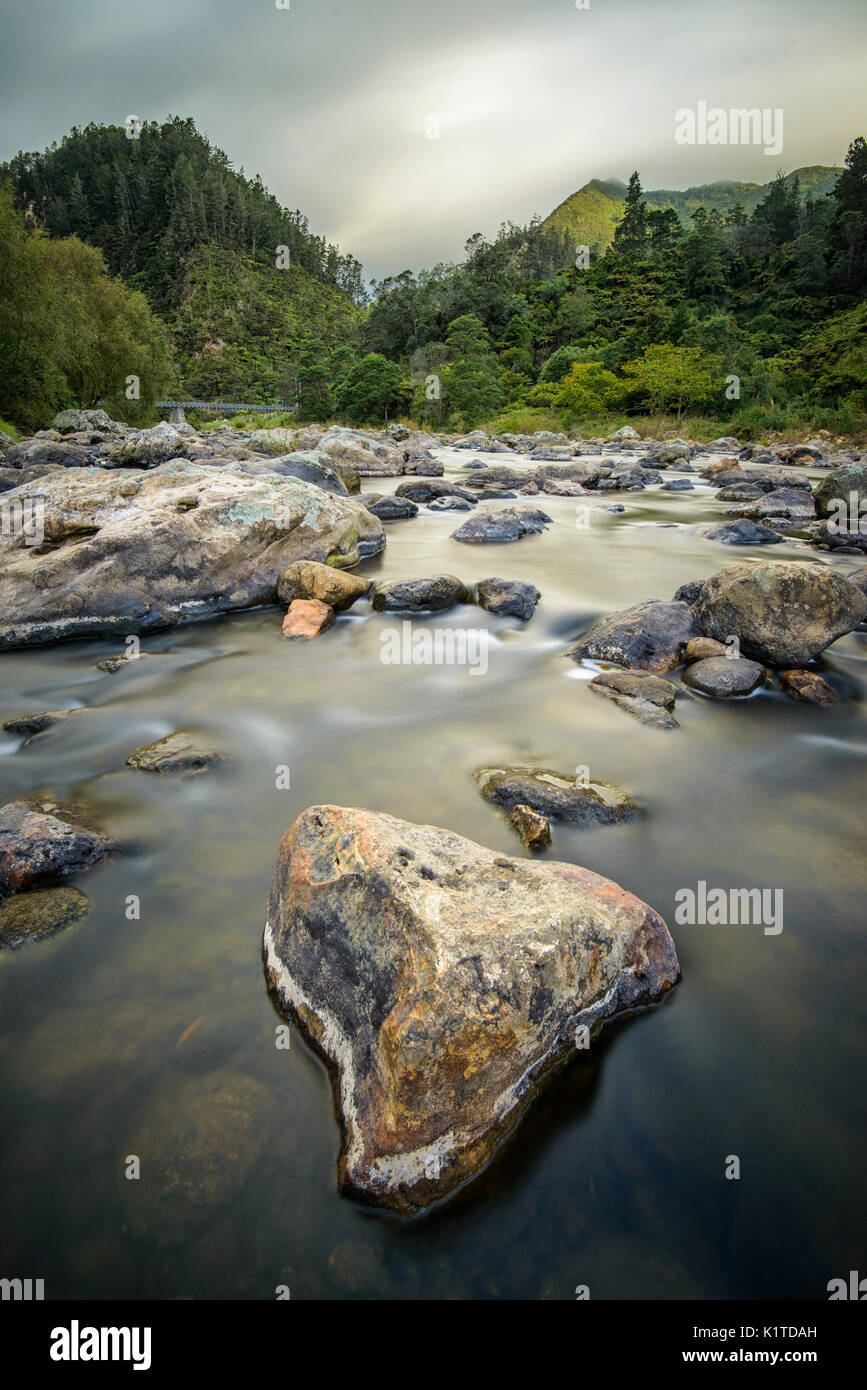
42, 840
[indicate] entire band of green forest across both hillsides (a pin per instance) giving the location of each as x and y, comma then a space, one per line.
752, 313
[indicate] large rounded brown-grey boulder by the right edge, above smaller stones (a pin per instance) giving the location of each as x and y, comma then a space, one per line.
783, 612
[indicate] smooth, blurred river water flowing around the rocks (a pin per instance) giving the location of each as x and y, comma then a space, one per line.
156, 1038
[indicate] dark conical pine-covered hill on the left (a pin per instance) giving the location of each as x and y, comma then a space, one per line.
201, 241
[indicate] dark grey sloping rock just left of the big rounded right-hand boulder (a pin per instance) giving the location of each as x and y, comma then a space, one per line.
648, 637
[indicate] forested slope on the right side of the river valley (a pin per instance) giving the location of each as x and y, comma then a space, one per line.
759, 316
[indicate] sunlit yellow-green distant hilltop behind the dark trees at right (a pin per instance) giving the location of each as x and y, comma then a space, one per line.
590, 216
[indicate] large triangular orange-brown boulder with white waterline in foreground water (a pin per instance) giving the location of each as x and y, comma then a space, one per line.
443, 982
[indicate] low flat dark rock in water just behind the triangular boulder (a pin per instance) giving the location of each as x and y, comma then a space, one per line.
556, 796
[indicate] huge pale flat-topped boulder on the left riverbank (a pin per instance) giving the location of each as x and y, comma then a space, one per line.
133, 551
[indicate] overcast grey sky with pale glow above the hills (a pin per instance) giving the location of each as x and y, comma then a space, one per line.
331, 101
